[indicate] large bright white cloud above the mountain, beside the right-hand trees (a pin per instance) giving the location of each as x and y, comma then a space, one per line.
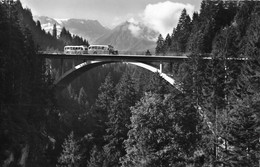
164, 16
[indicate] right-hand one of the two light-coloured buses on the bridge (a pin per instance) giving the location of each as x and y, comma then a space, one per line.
101, 49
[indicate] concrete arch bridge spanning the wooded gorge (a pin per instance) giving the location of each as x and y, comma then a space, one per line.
95, 60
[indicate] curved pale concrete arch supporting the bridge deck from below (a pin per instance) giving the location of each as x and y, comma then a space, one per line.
75, 72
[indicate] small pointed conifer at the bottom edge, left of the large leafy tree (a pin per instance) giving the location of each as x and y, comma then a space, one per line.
70, 156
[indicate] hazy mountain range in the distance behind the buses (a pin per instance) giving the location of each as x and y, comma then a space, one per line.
127, 36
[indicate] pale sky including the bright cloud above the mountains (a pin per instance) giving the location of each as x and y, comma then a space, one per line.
160, 15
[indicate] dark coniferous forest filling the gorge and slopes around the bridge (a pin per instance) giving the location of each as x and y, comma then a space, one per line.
121, 115
